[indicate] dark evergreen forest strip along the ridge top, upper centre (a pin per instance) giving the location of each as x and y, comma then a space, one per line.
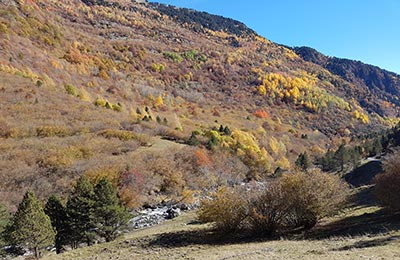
206, 20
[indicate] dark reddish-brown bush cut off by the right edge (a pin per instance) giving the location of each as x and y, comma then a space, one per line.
387, 183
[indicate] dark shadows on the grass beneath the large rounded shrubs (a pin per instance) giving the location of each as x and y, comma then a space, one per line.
367, 224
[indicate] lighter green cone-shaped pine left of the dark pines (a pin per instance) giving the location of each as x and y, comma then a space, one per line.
31, 227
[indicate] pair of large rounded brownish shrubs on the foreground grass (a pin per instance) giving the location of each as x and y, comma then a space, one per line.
295, 200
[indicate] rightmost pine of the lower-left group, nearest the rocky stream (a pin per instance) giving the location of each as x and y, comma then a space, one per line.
111, 217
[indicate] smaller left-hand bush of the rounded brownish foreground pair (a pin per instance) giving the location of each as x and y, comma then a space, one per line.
226, 210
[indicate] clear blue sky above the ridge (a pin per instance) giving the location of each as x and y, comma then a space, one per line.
365, 30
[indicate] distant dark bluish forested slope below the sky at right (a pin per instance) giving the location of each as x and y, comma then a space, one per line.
381, 83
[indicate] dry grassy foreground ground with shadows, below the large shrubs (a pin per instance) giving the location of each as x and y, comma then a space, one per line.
363, 232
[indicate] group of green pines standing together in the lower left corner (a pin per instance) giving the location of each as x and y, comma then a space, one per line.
93, 213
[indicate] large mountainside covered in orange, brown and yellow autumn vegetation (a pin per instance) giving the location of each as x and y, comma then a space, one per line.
87, 86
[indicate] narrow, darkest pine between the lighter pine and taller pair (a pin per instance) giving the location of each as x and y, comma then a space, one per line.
58, 216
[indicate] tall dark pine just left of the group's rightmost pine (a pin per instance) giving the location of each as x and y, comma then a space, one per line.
80, 212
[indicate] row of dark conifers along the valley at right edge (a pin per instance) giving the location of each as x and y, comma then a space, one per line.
369, 145
